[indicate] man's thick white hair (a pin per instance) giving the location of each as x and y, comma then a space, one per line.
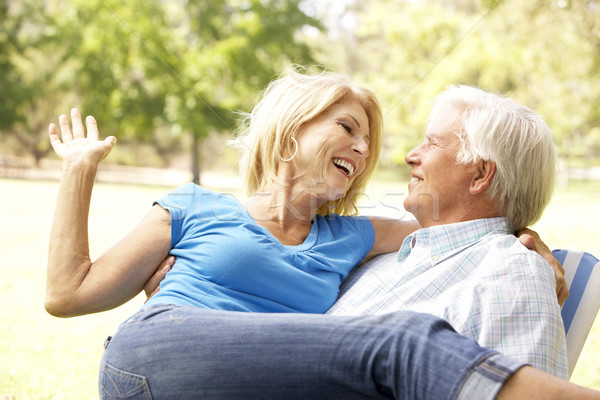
517, 140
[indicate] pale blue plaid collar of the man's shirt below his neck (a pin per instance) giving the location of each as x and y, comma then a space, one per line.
440, 240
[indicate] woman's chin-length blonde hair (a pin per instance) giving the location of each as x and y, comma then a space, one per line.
285, 105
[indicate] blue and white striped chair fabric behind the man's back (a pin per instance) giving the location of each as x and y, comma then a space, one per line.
582, 273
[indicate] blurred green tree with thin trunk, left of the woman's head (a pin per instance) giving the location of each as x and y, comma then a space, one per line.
228, 51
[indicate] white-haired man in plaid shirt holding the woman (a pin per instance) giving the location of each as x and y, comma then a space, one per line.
485, 169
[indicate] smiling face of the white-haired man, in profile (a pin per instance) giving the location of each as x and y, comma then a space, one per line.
439, 189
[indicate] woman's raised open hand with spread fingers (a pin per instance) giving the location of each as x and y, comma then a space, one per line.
74, 146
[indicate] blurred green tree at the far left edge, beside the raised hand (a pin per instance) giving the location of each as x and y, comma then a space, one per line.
27, 75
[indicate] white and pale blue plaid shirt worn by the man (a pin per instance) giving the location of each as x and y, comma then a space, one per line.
477, 276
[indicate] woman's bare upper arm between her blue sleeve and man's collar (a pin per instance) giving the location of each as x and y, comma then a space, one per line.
389, 234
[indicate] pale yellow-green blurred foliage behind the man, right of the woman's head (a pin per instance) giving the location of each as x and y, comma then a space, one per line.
543, 53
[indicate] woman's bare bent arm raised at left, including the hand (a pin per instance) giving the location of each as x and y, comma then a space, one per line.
74, 284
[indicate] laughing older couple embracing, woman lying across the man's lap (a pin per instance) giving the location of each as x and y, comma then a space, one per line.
251, 306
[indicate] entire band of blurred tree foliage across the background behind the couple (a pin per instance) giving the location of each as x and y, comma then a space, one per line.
160, 71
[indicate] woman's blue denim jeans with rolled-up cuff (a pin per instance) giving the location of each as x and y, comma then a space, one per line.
172, 352
